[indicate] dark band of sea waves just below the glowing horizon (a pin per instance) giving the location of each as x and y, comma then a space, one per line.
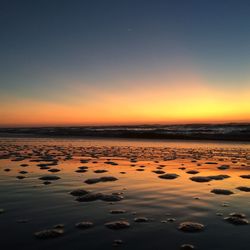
187, 132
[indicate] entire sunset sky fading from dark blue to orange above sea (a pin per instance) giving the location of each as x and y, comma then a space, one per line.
94, 62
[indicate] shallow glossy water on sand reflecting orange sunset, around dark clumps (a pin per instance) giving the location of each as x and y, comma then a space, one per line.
29, 205
